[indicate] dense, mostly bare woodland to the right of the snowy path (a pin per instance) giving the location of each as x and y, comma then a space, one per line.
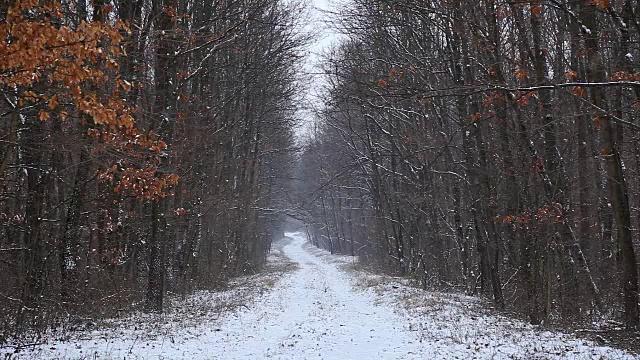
490, 147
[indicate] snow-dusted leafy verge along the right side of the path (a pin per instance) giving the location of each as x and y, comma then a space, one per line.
454, 326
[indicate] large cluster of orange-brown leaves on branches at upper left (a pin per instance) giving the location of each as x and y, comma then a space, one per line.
74, 73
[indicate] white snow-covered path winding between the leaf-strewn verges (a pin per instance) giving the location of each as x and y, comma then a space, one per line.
315, 314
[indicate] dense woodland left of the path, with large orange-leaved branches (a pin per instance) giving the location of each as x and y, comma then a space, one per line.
142, 144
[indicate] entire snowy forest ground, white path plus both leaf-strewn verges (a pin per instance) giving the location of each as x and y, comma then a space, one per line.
312, 305
